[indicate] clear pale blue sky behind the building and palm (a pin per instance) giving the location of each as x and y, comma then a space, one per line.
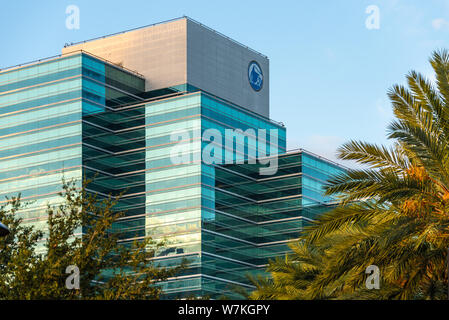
329, 74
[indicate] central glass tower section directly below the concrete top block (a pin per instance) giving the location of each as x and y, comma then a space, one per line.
180, 198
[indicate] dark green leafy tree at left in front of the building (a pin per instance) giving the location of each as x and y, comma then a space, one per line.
80, 232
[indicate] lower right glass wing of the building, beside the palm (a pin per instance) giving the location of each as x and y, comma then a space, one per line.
256, 216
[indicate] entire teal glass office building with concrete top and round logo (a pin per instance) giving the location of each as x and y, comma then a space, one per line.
123, 109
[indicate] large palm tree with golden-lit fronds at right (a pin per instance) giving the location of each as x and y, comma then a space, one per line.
394, 210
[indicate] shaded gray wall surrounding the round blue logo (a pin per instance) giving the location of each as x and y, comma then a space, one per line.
220, 66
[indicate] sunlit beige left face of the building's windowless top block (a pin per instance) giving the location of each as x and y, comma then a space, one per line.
157, 52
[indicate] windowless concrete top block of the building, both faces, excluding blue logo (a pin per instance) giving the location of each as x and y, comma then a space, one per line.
183, 51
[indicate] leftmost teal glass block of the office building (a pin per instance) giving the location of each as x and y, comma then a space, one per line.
43, 135
